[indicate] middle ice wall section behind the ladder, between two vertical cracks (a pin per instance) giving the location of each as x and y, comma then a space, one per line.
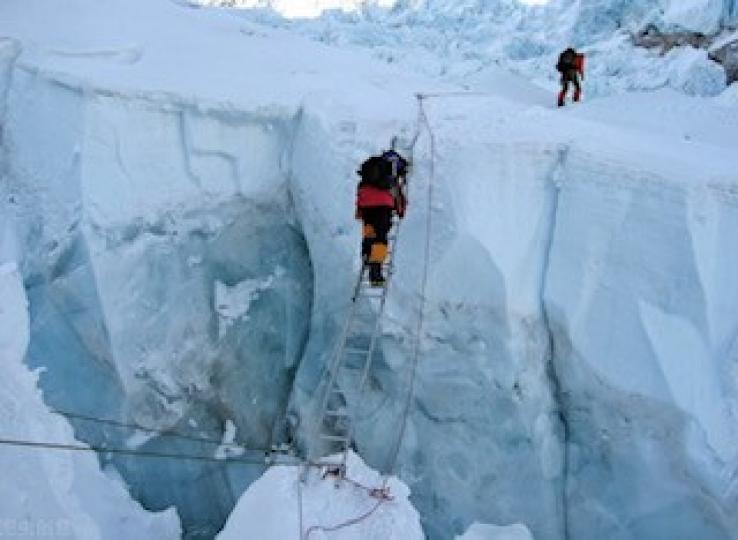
482, 417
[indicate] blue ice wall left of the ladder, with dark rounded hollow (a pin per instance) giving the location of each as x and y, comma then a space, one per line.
128, 234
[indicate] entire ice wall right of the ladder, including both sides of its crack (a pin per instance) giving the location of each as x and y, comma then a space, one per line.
560, 239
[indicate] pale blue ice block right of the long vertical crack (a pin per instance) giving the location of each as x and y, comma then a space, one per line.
644, 348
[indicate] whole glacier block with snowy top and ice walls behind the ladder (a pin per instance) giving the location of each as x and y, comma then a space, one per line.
186, 239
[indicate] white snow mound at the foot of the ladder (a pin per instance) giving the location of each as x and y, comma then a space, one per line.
271, 508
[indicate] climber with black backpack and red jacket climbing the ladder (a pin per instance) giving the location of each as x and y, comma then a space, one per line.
380, 194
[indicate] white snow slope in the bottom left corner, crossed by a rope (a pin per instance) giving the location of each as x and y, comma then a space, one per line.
54, 493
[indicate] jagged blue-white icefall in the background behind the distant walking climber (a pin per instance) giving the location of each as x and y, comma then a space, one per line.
458, 40
